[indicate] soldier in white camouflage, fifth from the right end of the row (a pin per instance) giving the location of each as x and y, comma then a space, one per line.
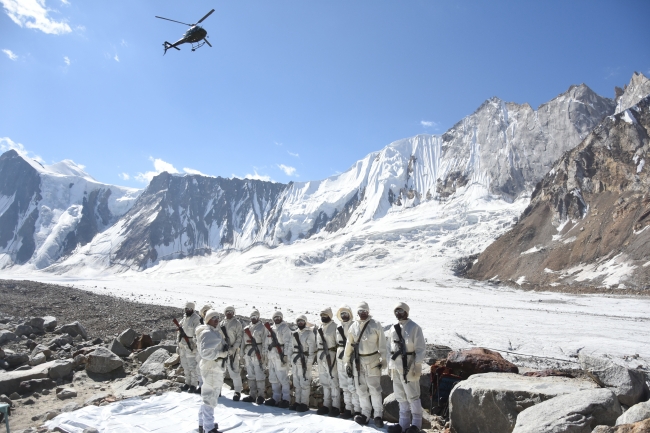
301, 378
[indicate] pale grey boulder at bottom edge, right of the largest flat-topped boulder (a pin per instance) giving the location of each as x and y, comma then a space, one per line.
579, 412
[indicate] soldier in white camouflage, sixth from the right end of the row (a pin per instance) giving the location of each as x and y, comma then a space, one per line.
278, 371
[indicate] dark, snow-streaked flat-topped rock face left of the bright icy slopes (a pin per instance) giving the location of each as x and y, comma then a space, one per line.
194, 215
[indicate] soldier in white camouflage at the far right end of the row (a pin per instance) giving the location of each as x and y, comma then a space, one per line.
407, 393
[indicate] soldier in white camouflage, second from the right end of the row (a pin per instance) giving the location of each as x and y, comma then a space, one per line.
372, 349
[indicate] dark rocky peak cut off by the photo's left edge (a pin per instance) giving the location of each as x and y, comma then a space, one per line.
21, 181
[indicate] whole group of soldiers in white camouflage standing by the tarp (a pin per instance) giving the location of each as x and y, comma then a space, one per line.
350, 358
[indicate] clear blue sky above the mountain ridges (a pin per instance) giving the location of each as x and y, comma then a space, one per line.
291, 90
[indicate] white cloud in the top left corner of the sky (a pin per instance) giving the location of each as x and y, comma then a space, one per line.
34, 15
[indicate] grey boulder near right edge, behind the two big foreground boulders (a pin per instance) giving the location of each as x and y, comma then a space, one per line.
628, 385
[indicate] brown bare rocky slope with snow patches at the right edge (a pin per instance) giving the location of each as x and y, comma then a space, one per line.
588, 216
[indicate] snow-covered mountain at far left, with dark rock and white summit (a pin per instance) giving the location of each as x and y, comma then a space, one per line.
47, 212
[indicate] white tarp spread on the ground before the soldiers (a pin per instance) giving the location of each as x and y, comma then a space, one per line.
177, 413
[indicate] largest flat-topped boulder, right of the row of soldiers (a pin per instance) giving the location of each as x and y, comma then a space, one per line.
490, 402
